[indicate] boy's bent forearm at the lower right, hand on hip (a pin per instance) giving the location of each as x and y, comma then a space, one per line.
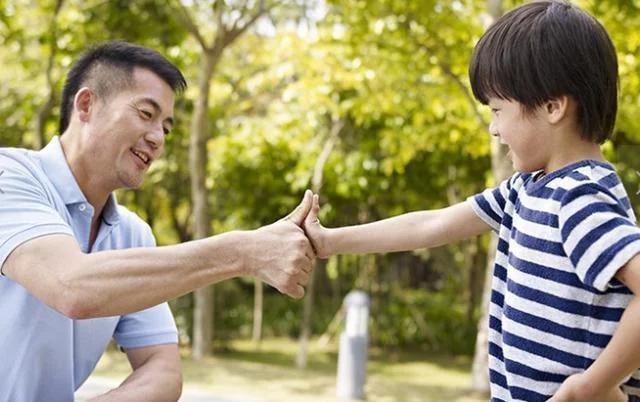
621, 356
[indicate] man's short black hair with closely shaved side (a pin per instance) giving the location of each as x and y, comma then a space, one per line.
108, 68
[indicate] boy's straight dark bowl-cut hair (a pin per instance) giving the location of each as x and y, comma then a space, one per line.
547, 49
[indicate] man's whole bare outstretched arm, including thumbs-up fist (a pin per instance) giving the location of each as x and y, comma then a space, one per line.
118, 282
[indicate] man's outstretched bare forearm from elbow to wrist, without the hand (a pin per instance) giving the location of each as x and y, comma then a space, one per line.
122, 281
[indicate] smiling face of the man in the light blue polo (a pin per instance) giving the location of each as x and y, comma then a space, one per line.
128, 129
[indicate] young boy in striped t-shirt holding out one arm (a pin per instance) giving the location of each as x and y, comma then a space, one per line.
564, 319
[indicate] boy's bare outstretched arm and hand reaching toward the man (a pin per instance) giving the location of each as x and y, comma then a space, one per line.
409, 231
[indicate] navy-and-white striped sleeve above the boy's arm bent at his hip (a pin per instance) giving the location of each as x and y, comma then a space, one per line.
598, 235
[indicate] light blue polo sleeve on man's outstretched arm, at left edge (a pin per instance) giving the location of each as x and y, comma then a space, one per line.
26, 209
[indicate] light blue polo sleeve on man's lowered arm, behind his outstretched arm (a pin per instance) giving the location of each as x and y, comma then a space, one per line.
153, 326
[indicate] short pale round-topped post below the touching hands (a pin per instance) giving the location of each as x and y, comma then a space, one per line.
352, 356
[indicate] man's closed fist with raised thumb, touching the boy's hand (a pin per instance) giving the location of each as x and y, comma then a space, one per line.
280, 254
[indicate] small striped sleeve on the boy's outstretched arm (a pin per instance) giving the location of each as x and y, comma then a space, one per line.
490, 204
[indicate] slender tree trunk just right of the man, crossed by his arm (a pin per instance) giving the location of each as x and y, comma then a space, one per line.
203, 309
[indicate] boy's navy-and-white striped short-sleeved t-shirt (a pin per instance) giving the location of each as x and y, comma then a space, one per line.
555, 302
